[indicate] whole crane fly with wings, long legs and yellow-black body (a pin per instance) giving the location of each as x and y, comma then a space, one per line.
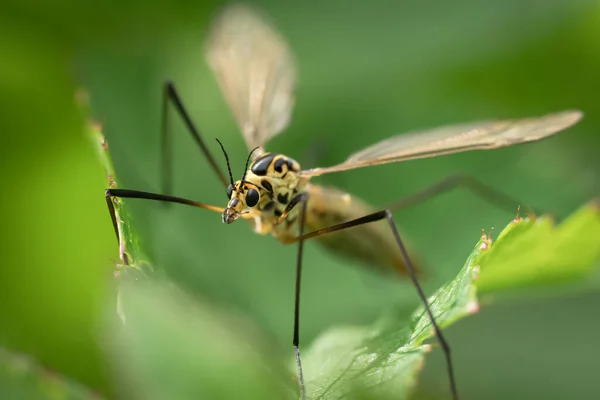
257, 76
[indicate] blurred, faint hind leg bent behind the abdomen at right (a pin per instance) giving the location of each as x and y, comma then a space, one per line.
478, 188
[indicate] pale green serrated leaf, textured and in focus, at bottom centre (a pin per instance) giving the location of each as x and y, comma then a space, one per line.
382, 361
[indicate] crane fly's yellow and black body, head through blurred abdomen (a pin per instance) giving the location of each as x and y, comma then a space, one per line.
270, 184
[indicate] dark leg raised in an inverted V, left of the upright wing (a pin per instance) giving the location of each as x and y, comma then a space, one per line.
170, 96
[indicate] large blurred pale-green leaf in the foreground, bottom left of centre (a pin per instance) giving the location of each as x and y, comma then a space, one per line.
172, 346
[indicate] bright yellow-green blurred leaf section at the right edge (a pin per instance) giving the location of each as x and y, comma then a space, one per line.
533, 252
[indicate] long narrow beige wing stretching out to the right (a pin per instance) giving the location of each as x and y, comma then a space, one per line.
481, 135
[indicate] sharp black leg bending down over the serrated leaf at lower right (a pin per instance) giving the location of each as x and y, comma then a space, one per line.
387, 215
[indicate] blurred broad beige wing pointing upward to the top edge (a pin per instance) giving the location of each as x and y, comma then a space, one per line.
255, 71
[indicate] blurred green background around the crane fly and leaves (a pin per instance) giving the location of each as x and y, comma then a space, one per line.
367, 70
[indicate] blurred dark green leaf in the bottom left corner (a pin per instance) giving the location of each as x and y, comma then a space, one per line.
22, 379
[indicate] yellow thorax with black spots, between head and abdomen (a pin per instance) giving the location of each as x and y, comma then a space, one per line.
277, 178
